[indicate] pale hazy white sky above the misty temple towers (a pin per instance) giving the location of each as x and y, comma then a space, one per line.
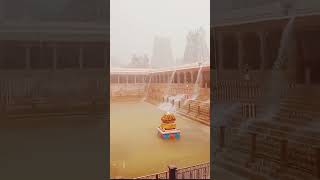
134, 23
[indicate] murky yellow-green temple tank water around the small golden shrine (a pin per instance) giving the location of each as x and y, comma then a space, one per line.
136, 150
